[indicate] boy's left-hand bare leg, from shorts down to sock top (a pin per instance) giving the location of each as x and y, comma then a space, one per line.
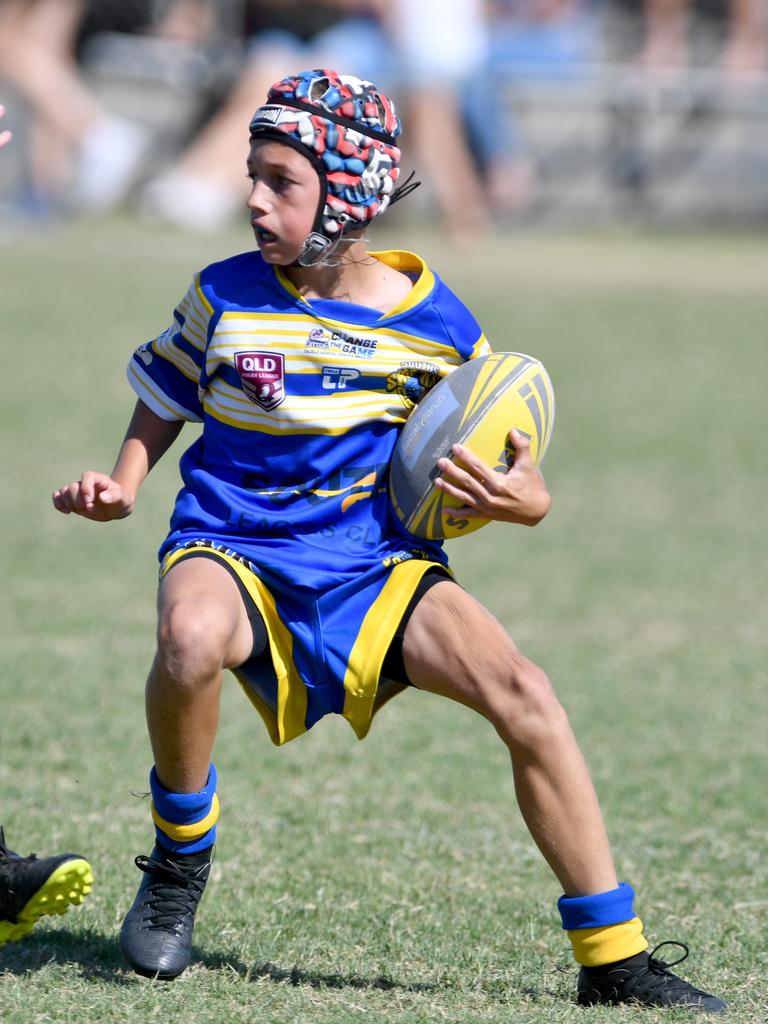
203, 628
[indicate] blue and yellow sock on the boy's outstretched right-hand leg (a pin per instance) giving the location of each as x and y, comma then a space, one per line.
603, 928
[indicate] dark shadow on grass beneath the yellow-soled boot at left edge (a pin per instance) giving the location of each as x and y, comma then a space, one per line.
97, 957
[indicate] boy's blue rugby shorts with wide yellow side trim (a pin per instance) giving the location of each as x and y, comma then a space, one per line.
316, 655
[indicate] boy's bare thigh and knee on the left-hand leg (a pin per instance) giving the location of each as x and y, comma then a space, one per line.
199, 593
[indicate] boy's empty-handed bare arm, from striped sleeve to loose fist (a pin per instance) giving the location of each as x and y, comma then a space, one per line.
101, 497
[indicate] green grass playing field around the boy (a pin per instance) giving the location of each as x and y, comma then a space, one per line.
394, 881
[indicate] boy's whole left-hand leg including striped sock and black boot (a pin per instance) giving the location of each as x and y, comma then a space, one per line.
203, 628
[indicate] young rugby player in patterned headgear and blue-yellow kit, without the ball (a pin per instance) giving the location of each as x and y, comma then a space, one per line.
285, 562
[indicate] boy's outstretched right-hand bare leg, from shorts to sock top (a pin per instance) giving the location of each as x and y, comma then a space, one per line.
453, 647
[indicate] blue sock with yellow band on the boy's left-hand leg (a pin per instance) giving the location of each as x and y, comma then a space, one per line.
185, 823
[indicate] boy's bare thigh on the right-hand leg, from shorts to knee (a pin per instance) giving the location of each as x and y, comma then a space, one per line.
455, 648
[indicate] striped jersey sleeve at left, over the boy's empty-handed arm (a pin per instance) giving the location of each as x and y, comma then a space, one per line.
166, 373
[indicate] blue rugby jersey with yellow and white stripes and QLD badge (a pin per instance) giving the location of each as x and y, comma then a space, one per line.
302, 404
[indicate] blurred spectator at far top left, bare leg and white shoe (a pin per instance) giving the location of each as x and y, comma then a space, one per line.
77, 152
